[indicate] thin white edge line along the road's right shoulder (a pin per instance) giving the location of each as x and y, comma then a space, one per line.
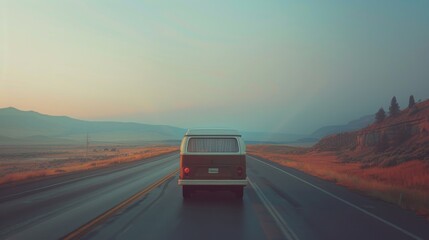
346, 202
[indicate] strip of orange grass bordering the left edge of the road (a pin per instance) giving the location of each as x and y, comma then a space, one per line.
25, 169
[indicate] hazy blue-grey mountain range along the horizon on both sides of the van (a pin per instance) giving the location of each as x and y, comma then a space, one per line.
29, 127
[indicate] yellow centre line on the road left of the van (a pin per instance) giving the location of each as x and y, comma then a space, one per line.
89, 226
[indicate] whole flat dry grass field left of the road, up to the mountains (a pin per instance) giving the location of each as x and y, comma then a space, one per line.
19, 163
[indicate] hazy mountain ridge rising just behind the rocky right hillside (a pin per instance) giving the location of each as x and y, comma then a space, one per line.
351, 126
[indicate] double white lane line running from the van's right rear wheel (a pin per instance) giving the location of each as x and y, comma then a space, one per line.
281, 223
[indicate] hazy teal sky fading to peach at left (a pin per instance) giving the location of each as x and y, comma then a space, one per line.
276, 66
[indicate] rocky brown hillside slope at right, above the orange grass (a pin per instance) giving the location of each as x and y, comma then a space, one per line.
393, 141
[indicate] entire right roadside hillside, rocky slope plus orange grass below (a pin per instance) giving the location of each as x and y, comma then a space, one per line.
387, 160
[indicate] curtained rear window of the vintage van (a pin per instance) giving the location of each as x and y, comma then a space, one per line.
212, 145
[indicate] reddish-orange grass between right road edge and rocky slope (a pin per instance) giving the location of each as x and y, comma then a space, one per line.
406, 184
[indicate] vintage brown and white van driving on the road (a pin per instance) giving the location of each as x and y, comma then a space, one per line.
212, 159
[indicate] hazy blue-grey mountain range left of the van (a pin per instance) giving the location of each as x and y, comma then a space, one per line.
18, 126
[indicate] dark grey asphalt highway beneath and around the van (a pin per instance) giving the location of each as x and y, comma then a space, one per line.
279, 203
